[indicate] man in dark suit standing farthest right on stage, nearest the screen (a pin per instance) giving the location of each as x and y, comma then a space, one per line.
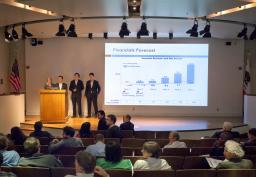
91, 92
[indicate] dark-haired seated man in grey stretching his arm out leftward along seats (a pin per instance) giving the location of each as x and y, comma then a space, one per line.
67, 141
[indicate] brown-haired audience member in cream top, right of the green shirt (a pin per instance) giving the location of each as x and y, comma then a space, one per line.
151, 152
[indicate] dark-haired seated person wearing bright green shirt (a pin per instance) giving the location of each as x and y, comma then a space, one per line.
113, 158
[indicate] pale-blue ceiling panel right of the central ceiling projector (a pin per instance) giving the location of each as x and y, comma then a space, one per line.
186, 8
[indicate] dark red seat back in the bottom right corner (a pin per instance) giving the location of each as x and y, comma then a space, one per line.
235, 173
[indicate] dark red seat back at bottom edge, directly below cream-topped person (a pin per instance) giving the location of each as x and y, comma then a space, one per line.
154, 173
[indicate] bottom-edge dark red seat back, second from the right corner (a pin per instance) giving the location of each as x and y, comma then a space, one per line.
196, 173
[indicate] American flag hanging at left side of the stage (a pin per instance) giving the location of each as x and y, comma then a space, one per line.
15, 76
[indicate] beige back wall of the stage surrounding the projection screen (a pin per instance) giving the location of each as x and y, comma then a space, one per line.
66, 56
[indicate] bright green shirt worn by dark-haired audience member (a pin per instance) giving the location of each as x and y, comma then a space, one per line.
123, 164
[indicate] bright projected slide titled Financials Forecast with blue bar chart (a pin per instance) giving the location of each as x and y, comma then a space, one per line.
156, 74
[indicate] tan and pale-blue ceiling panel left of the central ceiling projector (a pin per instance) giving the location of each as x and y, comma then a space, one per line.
82, 8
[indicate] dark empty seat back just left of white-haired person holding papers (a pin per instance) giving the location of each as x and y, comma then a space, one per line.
195, 162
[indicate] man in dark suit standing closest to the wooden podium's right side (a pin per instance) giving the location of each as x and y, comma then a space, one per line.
76, 86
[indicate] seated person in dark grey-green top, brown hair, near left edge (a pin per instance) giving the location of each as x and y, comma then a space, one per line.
34, 158
